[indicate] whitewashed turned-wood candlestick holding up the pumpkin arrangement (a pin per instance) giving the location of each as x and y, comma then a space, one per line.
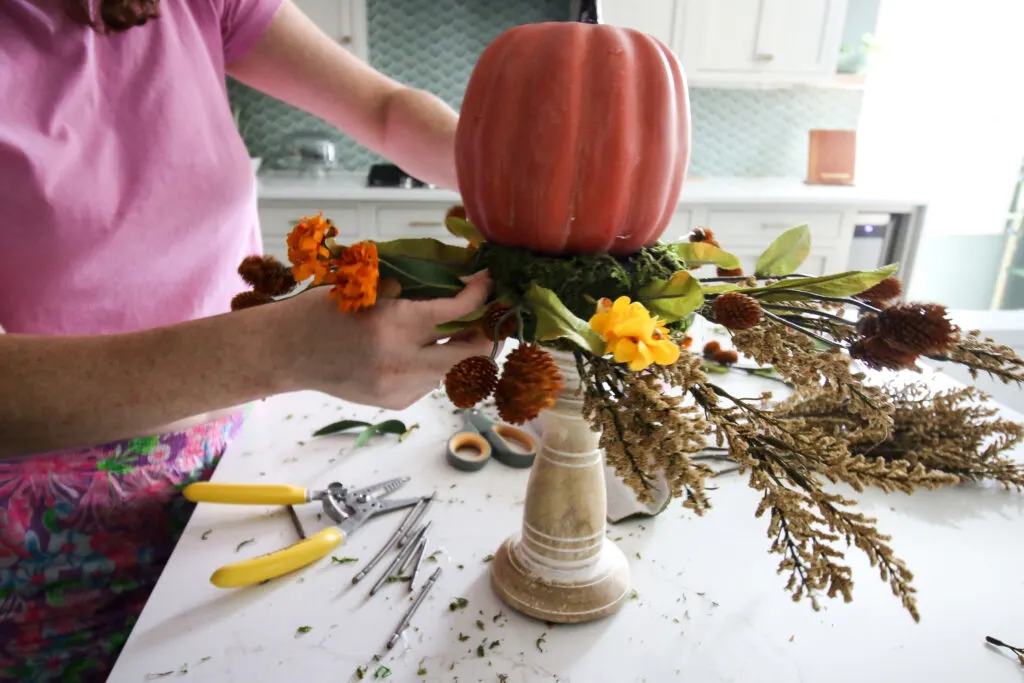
561, 568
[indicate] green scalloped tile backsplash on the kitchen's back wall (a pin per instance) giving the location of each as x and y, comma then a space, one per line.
434, 46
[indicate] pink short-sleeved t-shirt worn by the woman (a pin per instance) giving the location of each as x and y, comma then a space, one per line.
127, 198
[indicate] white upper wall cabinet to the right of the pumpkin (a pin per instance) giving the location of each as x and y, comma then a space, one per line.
740, 44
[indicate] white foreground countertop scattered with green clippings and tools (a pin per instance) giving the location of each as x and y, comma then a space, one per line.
710, 607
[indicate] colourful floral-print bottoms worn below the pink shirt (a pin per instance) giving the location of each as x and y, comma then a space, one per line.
84, 536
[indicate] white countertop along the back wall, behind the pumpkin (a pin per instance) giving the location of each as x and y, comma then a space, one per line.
731, 192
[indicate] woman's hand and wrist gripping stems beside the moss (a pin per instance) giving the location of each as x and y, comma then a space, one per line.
388, 356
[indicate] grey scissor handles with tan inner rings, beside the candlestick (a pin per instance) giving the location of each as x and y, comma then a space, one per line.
471, 449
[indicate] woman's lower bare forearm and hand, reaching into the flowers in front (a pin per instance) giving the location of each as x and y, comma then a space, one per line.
60, 393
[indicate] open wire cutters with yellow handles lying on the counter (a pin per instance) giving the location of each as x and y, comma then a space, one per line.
349, 508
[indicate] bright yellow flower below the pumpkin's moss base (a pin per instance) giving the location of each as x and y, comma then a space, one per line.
632, 335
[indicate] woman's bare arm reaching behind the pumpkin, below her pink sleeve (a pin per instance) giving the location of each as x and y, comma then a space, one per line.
298, 64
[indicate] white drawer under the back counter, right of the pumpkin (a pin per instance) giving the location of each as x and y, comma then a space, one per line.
760, 228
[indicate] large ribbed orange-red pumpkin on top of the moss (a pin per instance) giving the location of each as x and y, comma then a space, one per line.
574, 139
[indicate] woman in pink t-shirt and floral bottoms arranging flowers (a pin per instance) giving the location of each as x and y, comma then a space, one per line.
127, 205
